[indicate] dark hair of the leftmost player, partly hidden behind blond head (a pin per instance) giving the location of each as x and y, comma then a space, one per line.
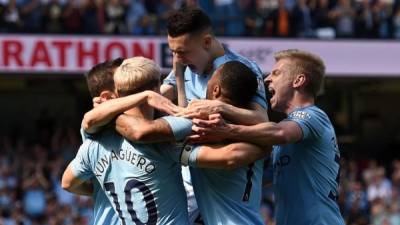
101, 76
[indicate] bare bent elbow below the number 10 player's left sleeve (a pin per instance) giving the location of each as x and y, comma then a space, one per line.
74, 185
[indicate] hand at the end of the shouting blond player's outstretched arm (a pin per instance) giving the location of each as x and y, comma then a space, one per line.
214, 129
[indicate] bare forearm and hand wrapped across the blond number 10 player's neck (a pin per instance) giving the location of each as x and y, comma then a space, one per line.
105, 112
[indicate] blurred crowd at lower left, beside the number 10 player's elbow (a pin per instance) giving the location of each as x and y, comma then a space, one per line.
30, 176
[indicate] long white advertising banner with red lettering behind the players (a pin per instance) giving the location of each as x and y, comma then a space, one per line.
77, 54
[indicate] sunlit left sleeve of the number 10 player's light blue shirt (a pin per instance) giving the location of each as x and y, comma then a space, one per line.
80, 165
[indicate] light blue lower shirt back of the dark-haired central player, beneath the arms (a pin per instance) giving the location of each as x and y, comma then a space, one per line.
235, 195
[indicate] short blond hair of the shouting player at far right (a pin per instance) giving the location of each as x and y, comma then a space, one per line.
312, 66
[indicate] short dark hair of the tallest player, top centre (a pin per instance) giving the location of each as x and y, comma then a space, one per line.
187, 21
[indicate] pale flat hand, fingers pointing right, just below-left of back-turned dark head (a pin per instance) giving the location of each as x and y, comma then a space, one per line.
201, 109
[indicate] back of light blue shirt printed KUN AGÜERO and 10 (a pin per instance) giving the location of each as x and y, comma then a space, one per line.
143, 182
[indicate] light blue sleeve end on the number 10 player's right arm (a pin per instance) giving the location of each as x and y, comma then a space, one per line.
181, 127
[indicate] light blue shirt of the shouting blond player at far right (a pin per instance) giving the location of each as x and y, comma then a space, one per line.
305, 173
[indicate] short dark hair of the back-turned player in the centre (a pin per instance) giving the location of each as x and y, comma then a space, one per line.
238, 83
